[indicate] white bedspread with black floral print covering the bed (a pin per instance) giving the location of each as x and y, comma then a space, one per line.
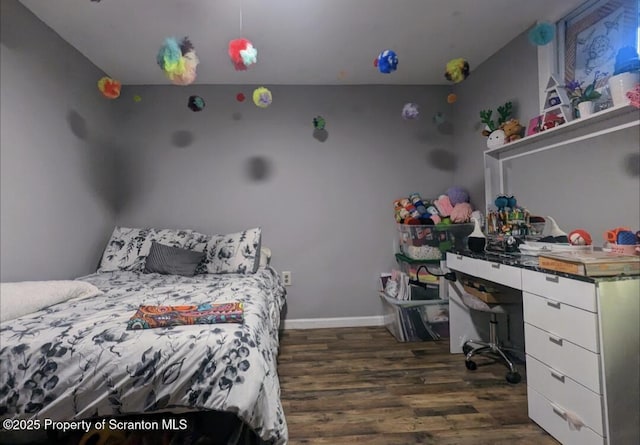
76, 359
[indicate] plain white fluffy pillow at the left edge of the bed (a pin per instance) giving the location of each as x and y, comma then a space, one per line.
25, 297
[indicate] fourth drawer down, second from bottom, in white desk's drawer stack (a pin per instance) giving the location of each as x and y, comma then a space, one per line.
565, 392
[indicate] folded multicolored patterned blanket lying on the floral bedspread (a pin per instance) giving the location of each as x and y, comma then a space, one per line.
147, 317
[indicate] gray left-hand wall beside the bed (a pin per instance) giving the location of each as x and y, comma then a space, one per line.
57, 198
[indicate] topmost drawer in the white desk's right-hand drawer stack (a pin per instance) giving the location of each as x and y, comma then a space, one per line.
565, 290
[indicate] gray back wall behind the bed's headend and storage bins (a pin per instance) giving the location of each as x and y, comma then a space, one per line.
325, 207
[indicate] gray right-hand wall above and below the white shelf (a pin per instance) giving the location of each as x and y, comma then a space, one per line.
594, 184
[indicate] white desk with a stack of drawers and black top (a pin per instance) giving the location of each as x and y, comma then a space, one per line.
582, 343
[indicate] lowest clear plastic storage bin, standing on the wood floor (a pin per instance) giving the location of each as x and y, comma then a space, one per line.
416, 320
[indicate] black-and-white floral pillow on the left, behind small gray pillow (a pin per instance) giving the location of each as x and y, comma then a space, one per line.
128, 247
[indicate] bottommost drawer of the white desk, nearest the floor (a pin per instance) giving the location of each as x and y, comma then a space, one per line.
552, 417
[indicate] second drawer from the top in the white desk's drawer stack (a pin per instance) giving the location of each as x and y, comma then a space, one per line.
568, 322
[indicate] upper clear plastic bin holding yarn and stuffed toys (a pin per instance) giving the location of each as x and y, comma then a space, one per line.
431, 242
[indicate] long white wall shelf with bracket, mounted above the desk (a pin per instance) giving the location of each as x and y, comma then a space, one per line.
601, 123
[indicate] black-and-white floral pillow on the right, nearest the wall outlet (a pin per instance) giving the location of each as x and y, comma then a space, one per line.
234, 252
